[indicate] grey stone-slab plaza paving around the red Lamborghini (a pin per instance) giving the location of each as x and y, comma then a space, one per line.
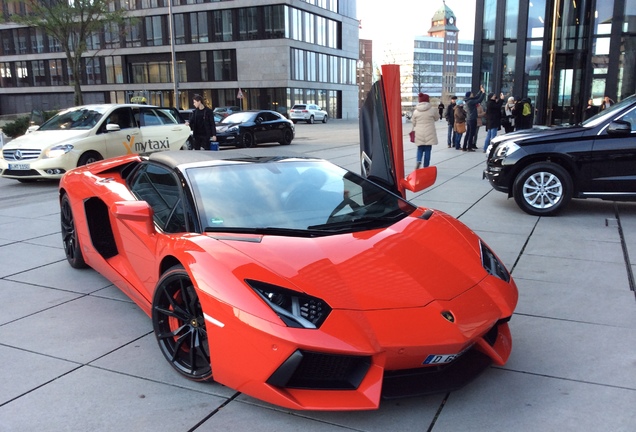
77, 355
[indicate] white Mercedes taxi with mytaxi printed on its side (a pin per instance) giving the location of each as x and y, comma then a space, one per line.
84, 134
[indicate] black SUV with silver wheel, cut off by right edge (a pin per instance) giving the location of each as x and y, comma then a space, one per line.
544, 168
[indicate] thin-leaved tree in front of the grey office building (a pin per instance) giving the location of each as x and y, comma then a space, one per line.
71, 23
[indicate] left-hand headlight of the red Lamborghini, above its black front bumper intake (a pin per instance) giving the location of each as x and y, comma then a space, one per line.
293, 308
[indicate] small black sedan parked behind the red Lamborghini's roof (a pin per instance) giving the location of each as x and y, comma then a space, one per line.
248, 128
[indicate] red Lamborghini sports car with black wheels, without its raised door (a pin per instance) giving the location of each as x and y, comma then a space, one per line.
289, 278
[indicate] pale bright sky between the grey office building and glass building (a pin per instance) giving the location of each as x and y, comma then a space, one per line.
393, 28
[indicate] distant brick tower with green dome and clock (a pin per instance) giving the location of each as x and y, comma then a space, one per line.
443, 26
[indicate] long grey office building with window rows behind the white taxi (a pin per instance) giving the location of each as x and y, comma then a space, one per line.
276, 53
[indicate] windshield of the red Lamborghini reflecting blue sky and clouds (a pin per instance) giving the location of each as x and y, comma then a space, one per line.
295, 194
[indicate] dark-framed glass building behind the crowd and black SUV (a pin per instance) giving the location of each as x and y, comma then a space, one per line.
558, 53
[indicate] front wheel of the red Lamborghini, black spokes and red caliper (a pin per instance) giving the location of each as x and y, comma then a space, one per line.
179, 325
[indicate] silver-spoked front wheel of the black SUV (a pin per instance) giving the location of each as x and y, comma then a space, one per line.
542, 189
